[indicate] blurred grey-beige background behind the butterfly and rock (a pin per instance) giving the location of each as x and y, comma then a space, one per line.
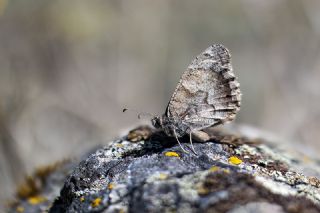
68, 68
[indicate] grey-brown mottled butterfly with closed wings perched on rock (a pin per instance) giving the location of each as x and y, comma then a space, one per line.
208, 94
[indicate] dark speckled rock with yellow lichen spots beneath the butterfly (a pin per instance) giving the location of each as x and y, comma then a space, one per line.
234, 172
